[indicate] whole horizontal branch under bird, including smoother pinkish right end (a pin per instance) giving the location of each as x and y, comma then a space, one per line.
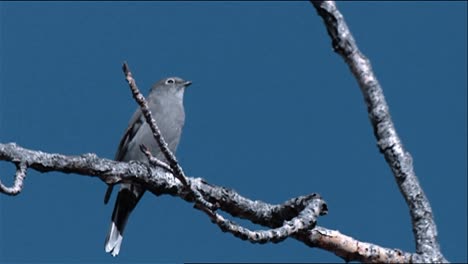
294, 217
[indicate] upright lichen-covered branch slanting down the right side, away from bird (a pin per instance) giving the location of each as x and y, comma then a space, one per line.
389, 143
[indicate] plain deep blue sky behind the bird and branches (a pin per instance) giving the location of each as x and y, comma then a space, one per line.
261, 71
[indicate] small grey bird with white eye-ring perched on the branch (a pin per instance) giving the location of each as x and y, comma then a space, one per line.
165, 101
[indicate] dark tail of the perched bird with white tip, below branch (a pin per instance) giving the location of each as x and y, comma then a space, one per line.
127, 199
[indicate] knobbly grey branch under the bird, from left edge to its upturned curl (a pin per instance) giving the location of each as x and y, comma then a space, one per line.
294, 216
